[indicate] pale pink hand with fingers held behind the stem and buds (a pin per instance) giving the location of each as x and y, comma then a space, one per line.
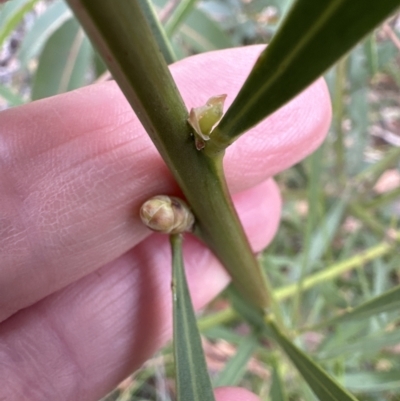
84, 287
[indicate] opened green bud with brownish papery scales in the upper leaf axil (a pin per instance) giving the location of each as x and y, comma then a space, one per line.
204, 118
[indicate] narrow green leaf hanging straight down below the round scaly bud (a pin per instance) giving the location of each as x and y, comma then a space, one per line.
192, 379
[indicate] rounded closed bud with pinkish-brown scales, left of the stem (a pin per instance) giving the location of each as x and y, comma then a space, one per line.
167, 214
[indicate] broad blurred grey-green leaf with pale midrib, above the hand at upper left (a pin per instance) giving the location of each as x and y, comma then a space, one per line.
63, 63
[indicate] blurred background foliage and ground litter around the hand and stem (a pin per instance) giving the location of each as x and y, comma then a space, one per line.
337, 246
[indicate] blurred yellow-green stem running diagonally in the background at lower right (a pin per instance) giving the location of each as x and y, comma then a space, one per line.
330, 273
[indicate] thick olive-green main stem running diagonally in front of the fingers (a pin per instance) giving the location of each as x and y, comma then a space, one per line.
123, 37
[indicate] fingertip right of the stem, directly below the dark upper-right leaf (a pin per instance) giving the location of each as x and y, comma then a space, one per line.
283, 139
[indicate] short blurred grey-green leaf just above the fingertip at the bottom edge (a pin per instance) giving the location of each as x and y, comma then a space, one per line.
236, 367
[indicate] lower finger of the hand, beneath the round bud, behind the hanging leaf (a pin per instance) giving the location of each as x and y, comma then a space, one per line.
77, 344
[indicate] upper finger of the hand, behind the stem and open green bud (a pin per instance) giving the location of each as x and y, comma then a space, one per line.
75, 169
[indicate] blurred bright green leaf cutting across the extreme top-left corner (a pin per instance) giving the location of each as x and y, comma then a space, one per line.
12, 14
